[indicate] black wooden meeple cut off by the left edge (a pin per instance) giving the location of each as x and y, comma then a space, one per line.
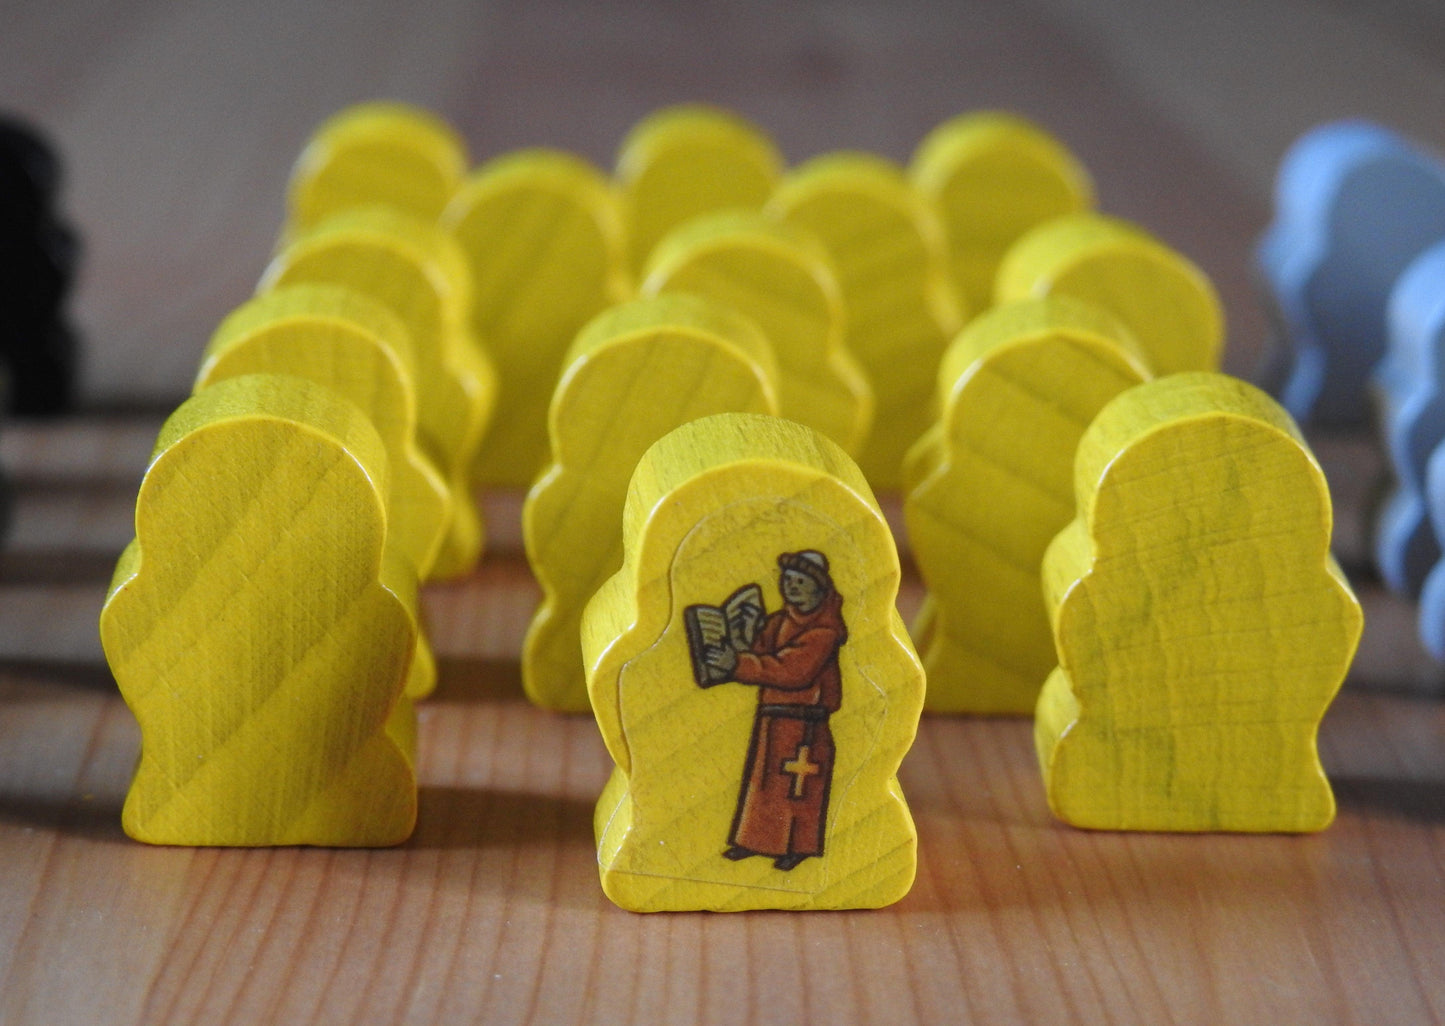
38, 258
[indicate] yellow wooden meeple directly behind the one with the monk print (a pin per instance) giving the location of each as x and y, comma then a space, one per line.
635, 374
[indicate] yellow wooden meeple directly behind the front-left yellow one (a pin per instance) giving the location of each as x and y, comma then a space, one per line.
356, 348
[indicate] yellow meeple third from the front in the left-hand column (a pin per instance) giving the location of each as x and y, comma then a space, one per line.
420, 274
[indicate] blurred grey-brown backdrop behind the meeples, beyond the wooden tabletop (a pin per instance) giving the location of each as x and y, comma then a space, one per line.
178, 122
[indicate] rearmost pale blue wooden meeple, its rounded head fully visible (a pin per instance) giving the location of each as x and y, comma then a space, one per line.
1355, 203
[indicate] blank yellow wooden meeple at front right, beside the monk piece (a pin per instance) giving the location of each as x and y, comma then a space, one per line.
1202, 625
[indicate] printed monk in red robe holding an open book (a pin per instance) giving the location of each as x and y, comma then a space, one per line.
791, 657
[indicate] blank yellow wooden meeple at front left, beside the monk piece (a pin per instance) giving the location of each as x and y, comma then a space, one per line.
261, 628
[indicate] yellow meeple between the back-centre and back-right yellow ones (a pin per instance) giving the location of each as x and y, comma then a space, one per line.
889, 252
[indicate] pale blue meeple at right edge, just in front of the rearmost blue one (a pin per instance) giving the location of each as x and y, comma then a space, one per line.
1411, 382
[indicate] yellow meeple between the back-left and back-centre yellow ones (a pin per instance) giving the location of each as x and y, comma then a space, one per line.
547, 254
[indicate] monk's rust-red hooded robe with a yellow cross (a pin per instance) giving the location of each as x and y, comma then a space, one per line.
784, 803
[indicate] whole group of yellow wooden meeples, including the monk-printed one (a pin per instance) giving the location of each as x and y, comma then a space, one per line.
703, 366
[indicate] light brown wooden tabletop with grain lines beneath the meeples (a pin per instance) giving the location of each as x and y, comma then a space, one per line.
496, 905
